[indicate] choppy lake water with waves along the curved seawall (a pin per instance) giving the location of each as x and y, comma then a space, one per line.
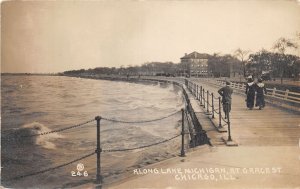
37, 104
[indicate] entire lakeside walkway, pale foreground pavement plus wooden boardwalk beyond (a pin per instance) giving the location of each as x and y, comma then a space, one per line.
267, 156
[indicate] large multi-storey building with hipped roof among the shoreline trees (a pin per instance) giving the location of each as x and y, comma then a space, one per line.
194, 64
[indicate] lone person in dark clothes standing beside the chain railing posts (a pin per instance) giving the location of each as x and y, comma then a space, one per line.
226, 93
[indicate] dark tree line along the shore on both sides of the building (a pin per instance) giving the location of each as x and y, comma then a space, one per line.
276, 64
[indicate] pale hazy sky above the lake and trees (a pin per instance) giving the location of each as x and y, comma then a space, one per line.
55, 36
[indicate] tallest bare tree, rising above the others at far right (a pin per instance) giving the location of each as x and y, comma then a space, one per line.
281, 45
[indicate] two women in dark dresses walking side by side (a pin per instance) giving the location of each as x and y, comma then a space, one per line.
258, 88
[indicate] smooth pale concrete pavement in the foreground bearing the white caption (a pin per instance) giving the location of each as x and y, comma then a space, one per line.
222, 167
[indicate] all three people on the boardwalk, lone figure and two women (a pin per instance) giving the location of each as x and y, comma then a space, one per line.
252, 89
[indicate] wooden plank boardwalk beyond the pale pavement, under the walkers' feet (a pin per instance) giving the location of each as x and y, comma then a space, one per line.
272, 126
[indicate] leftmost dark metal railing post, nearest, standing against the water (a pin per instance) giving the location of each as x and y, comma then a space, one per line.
98, 152
